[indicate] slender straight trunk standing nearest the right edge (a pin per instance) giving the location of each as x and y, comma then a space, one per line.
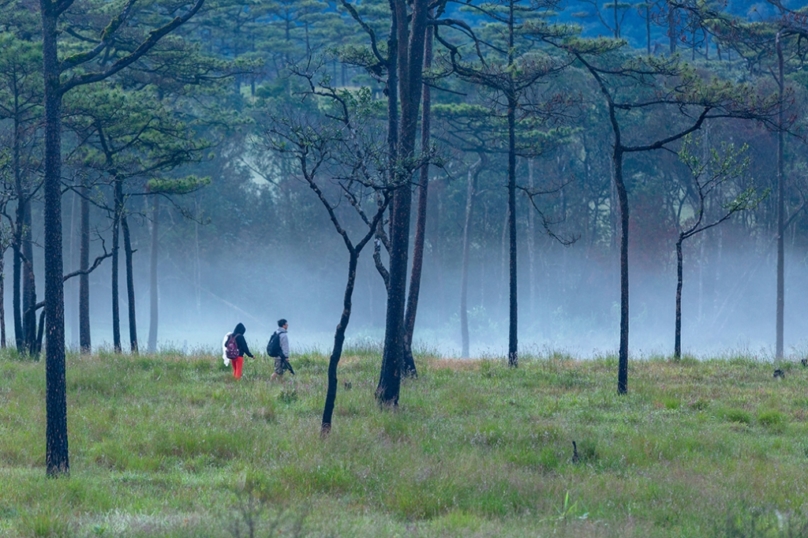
780, 207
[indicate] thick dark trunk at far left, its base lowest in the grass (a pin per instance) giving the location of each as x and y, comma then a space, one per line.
57, 460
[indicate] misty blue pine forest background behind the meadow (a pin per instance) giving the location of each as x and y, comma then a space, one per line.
181, 176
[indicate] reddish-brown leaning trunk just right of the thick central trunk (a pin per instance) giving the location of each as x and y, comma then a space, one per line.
420, 225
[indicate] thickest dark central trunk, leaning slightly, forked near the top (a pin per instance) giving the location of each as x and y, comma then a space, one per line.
410, 65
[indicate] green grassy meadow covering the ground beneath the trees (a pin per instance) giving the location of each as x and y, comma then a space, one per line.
169, 445
